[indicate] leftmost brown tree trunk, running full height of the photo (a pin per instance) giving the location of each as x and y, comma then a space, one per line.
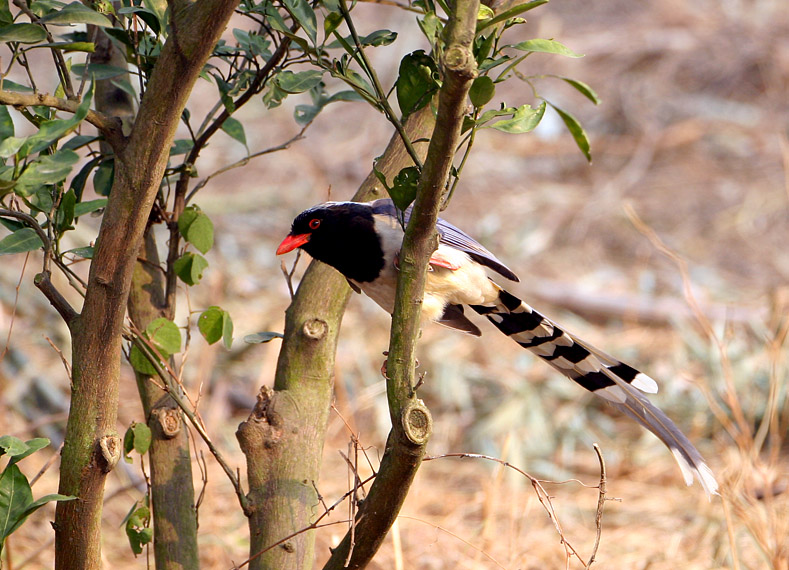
92, 444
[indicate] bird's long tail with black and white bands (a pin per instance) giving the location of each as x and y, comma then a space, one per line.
621, 385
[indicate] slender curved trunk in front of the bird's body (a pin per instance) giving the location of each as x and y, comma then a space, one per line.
411, 422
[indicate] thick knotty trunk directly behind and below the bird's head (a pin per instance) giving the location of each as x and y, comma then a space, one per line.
283, 437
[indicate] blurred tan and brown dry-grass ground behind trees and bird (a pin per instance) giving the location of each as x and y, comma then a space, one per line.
670, 251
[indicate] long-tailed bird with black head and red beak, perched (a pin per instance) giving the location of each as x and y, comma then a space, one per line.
362, 241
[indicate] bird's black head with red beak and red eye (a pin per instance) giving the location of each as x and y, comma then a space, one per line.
341, 234
